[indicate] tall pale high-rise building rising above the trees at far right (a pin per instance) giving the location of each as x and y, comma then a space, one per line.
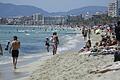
114, 8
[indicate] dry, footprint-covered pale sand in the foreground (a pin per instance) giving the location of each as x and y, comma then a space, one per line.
74, 66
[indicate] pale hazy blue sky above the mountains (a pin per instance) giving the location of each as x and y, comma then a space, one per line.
59, 5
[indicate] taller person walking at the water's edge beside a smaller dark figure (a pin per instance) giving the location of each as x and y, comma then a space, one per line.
55, 42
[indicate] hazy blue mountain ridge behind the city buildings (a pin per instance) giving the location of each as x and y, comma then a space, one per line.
8, 9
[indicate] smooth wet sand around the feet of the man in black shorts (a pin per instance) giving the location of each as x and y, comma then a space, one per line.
8, 73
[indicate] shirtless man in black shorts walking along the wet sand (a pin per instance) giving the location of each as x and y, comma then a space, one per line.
14, 49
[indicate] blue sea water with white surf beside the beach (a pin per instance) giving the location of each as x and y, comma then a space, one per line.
33, 38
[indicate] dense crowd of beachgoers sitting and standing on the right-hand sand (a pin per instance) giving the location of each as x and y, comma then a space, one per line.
109, 43
